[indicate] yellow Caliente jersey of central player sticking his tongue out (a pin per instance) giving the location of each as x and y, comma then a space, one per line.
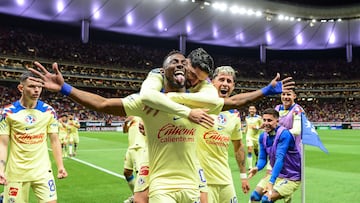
171, 148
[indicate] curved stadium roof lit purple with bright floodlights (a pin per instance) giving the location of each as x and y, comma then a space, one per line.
279, 25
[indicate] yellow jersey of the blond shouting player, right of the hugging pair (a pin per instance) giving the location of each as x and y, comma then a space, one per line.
213, 147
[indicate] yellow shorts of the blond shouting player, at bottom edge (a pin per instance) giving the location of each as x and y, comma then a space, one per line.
222, 193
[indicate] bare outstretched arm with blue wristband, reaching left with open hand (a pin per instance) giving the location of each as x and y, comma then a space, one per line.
55, 82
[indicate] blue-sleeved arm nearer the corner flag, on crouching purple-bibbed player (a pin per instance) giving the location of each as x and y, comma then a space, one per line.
285, 140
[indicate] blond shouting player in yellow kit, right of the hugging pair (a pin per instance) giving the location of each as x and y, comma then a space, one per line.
213, 146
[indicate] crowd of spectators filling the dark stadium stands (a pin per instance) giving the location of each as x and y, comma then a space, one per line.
328, 89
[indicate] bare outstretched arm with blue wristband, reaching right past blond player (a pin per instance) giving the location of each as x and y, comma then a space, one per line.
275, 87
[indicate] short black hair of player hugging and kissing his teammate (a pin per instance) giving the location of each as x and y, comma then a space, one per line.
199, 58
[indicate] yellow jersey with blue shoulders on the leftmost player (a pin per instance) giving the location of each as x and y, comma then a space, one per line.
28, 130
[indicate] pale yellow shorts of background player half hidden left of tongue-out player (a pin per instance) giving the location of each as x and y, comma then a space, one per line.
133, 158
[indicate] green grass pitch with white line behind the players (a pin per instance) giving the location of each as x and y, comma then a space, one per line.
95, 175
